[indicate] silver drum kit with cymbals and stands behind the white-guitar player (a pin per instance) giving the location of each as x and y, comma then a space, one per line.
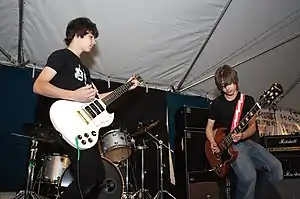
115, 146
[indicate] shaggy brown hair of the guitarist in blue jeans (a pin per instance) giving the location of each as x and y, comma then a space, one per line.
224, 76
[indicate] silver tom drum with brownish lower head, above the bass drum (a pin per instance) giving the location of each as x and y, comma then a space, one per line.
115, 145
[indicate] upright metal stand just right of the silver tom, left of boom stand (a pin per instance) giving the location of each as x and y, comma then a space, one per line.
142, 192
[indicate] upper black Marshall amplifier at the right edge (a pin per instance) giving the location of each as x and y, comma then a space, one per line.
281, 143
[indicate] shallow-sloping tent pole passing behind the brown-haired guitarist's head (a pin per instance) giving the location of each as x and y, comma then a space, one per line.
244, 61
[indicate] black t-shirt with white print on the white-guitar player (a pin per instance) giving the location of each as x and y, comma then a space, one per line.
71, 75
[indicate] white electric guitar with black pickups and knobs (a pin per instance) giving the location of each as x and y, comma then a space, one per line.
79, 123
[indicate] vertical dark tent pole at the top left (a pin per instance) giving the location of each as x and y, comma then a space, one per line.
20, 42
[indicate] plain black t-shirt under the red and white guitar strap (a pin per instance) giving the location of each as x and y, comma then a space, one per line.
222, 110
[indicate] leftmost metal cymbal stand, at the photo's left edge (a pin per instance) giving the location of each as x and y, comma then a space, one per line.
28, 193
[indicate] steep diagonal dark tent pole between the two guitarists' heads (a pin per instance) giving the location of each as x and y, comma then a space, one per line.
204, 44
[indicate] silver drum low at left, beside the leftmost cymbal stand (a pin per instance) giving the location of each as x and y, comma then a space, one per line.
54, 167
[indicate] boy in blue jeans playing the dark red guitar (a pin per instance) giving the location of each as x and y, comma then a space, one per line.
224, 113
